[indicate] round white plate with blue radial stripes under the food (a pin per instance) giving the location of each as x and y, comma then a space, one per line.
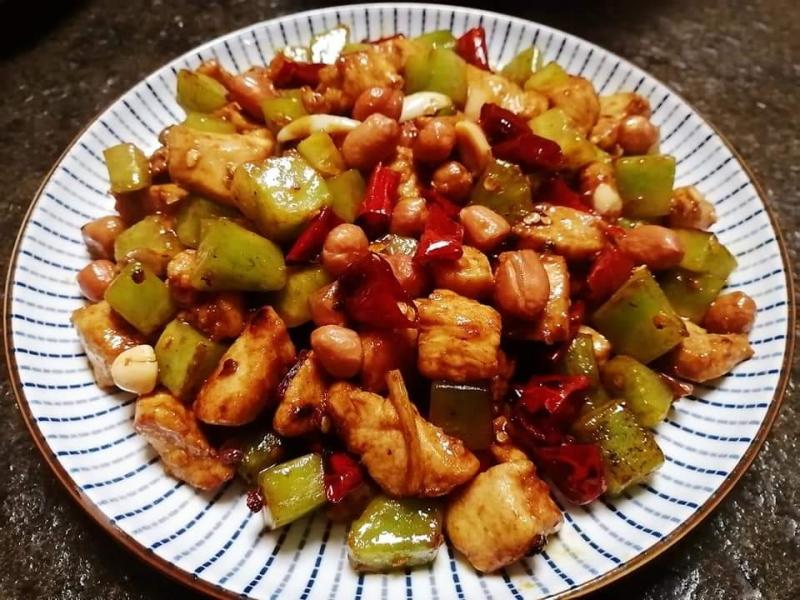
211, 541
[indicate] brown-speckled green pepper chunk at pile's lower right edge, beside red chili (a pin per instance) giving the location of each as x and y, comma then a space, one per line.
630, 452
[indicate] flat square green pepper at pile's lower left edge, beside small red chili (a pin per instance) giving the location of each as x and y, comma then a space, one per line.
292, 489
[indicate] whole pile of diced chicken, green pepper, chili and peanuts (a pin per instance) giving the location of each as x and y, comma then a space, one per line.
382, 280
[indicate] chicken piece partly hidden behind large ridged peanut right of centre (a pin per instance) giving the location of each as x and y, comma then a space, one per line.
553, 324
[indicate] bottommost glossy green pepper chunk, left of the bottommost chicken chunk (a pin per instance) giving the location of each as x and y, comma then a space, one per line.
395, 533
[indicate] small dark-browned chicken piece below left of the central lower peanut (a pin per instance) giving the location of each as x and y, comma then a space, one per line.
302, 392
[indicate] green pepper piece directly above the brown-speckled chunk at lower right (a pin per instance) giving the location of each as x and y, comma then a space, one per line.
643, 392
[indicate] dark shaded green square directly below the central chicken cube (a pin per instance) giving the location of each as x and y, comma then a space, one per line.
463, 411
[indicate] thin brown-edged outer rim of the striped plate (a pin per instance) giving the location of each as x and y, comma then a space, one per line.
149, 558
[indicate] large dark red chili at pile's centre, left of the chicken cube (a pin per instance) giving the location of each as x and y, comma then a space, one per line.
370, 294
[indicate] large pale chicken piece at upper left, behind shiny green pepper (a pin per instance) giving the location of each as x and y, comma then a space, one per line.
204, 162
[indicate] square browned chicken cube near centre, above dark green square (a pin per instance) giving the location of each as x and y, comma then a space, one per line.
459, 338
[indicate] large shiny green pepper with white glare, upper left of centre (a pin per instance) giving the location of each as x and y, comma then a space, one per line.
280, 195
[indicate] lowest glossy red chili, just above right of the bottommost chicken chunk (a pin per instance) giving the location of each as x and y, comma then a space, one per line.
575, 469
